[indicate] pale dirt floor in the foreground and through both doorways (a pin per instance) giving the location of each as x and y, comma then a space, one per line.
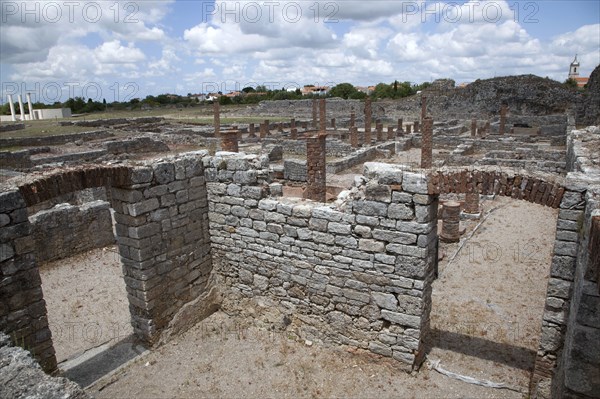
486, 319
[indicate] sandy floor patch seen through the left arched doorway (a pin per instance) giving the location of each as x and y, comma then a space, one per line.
86, 301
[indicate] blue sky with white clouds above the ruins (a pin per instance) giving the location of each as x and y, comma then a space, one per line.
119, 50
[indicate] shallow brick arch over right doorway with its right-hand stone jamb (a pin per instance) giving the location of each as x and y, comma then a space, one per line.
543, 189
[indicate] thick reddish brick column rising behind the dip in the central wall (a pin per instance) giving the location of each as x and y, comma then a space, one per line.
316, 172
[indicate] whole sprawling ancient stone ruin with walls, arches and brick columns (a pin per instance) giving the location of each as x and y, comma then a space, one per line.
250, 216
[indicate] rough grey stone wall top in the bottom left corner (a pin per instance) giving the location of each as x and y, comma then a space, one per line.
22, 377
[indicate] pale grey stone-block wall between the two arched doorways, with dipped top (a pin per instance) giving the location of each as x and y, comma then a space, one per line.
357, 272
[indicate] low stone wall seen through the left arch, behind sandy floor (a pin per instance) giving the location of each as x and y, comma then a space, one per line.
66, 230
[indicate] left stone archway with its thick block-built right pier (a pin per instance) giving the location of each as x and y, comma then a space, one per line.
161, 215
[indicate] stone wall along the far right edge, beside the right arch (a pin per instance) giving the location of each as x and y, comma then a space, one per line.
578, 369
